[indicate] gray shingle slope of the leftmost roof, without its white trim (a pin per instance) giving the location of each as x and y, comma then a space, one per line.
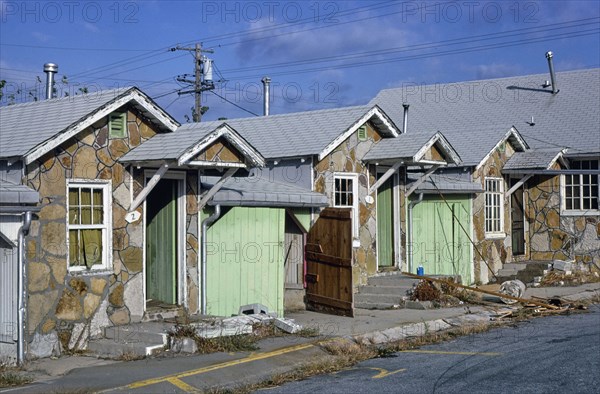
25, 126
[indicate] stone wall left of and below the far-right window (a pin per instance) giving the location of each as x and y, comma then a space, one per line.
553, 236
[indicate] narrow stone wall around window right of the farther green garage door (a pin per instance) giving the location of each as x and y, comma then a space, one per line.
496, 251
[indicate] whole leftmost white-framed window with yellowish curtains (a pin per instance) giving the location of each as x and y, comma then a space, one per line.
88, 225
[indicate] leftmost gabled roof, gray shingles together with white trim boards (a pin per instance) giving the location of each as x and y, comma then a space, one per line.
30, 130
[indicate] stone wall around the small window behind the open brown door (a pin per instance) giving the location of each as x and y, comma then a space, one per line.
346, 158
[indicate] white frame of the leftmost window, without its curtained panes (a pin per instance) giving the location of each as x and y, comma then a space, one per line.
106, 227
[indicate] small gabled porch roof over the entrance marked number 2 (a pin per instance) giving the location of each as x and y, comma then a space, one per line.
187, 142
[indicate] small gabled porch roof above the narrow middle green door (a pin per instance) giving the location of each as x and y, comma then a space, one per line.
411, 147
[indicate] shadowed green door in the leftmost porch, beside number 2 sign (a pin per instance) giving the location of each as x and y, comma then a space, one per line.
161, 243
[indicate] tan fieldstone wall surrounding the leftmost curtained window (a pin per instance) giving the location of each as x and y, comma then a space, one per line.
66, 308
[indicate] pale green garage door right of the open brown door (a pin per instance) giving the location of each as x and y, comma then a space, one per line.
439, 242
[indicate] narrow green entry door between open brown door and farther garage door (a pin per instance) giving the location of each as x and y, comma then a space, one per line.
385, 224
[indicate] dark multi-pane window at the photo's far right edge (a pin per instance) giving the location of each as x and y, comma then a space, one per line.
581, 190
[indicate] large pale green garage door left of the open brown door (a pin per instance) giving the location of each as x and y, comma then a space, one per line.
245, 260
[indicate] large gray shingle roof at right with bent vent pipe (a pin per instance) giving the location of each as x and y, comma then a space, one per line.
568, 119
